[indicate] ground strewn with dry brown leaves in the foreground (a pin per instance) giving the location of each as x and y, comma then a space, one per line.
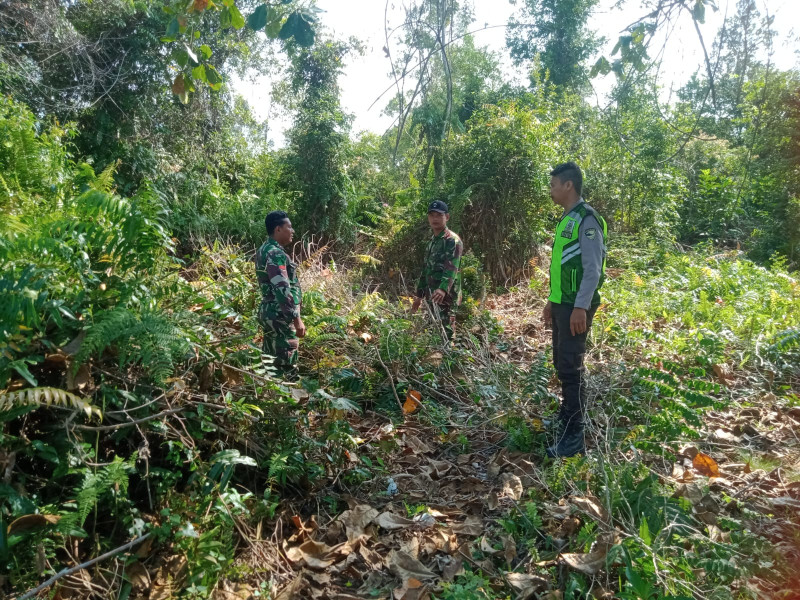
441, 502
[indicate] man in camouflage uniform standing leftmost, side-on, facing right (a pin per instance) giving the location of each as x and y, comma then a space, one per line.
279, 312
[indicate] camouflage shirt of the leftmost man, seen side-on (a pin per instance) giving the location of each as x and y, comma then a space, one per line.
277, 277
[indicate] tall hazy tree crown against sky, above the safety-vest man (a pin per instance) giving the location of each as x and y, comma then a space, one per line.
552, 36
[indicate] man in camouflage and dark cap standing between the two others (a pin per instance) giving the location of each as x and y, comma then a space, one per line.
440, 282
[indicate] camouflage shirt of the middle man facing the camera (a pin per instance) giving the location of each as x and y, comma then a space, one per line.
441, 267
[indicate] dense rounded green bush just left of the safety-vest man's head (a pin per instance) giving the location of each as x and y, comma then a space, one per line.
499, 174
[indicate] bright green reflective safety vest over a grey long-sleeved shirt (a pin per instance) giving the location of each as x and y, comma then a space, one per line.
566, 268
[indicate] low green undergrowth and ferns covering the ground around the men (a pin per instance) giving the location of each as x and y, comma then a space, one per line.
194, 440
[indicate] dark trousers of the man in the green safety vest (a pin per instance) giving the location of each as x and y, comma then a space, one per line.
568, 352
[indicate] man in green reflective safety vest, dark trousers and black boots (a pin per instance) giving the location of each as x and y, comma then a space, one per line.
577, 271
